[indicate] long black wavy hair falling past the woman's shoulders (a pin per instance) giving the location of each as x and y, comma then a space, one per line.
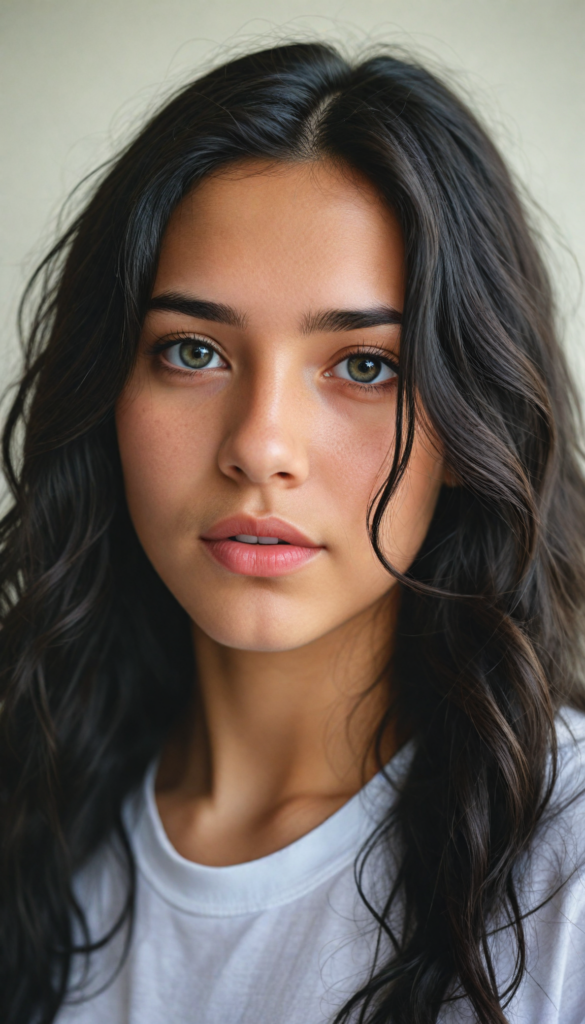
96, 658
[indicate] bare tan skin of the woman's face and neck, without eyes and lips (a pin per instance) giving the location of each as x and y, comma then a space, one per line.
279, 735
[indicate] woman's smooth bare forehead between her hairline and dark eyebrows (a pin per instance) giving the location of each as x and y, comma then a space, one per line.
306, 235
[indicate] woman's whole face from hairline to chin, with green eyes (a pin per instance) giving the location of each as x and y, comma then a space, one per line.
260, 419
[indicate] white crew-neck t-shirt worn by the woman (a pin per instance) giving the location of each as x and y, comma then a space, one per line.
286, 940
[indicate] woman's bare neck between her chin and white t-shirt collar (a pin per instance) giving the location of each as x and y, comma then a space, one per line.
276, 742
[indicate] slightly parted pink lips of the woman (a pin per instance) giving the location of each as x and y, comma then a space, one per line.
259, 560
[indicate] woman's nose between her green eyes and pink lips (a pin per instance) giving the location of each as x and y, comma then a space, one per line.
266, 440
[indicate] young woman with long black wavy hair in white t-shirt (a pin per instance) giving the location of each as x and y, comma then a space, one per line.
294, 578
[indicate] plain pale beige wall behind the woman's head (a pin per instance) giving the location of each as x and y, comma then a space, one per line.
77, 76
